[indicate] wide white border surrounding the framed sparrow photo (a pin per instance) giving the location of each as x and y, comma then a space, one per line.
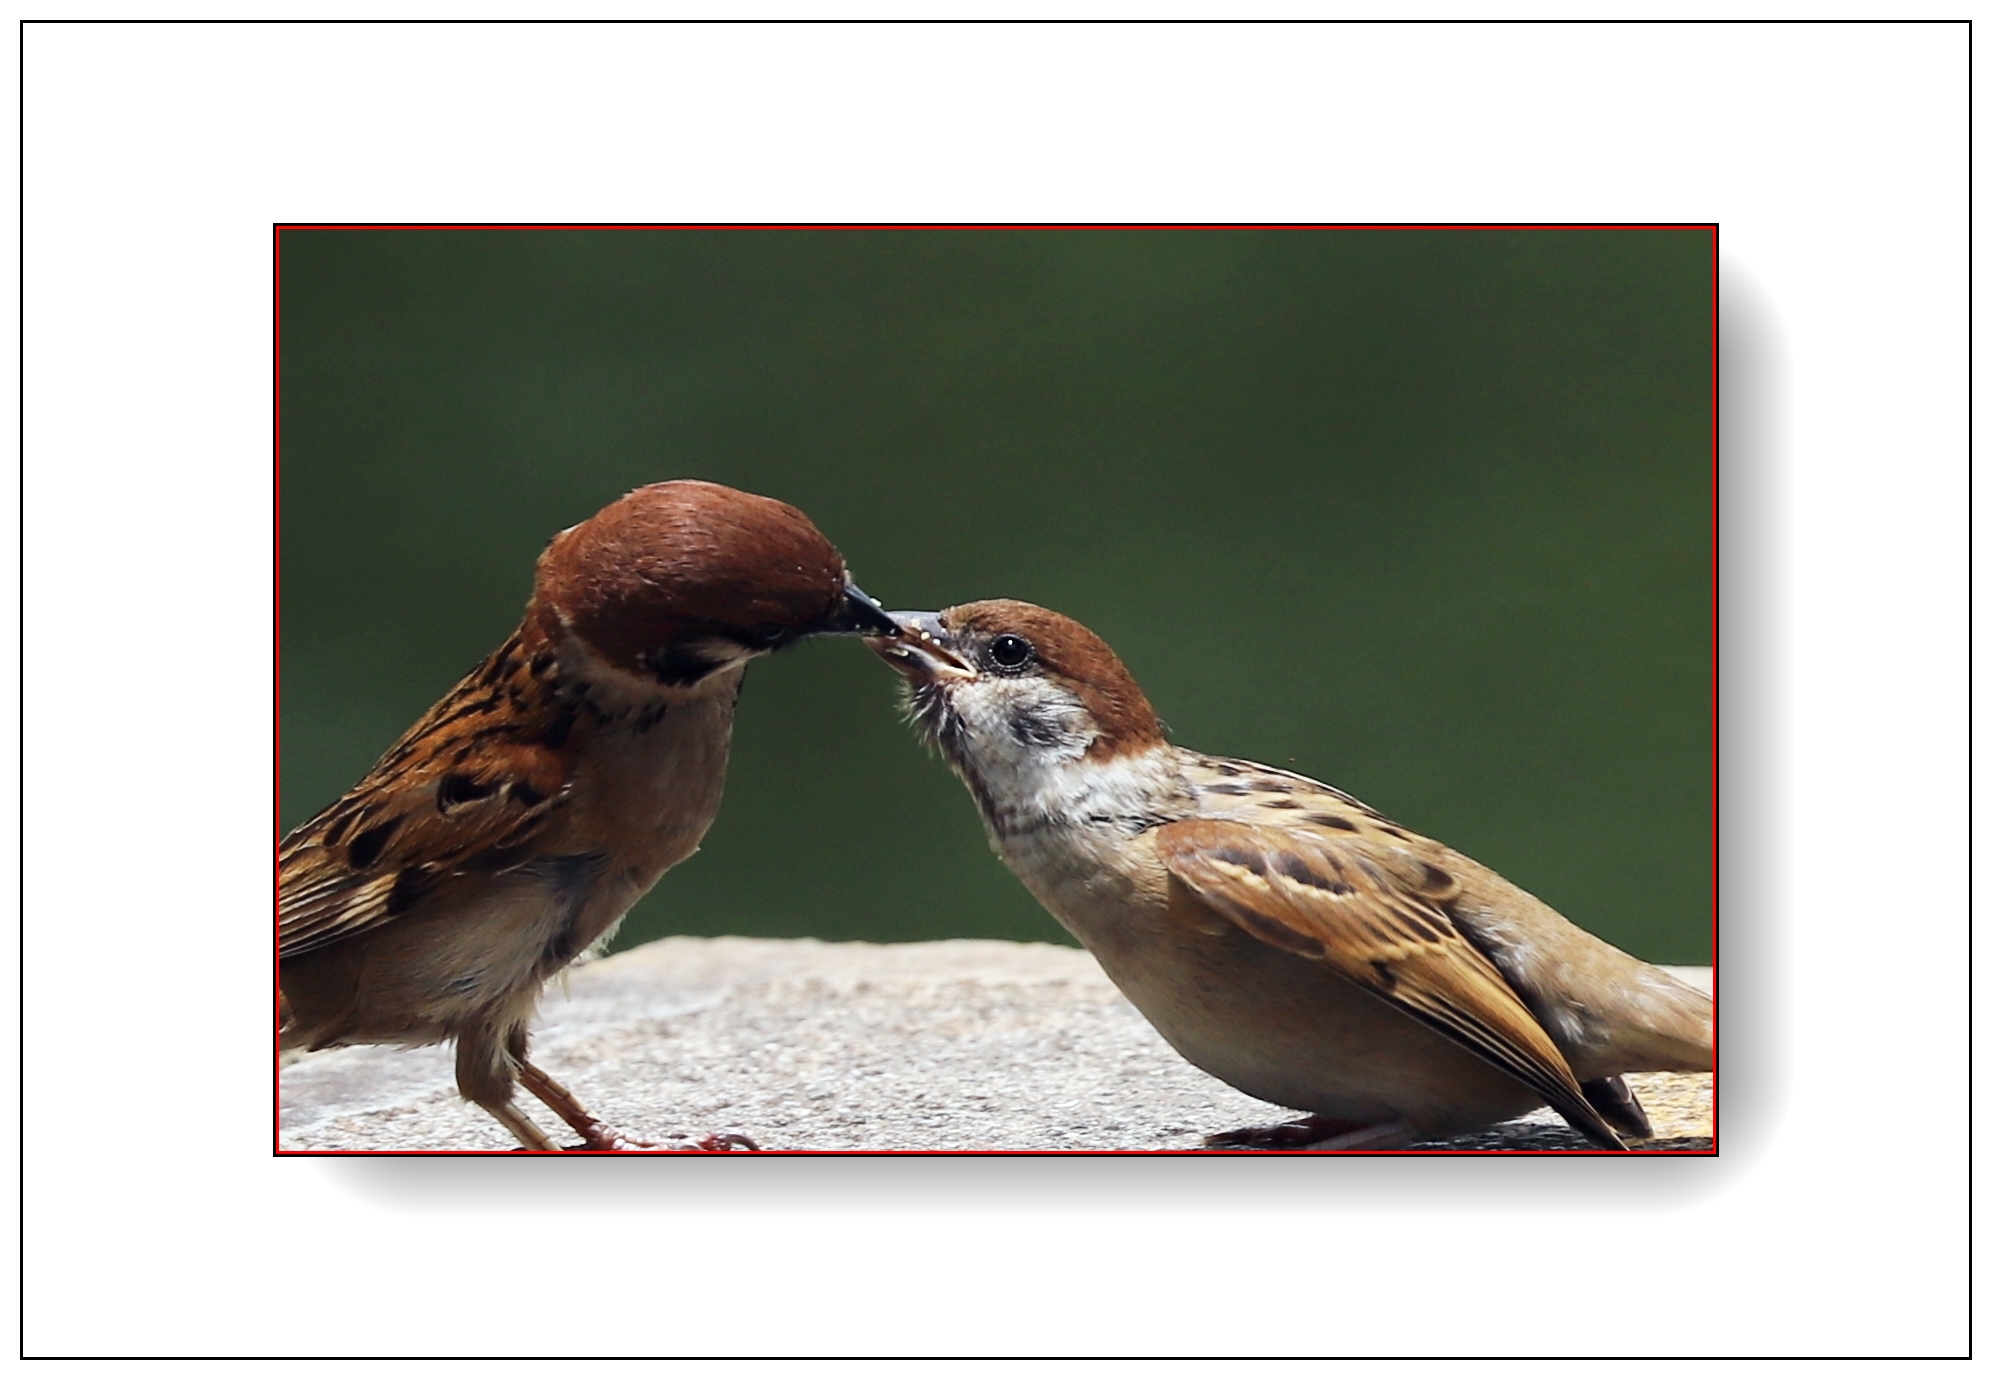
156, 162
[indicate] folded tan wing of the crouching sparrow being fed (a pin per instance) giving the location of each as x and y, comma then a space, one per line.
1344, 907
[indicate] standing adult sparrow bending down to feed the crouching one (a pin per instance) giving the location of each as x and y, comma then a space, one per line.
515, 825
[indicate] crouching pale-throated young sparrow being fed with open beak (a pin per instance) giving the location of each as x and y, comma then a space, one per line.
1282, 935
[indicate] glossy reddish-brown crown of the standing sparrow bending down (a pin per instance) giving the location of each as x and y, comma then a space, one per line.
684, 559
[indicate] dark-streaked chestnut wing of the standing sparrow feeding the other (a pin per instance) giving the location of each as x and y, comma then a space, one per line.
463, 792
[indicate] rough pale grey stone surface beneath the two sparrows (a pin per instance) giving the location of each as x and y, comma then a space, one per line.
808, 1046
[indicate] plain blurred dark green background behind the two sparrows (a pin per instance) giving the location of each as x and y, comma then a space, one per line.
1425, 515
